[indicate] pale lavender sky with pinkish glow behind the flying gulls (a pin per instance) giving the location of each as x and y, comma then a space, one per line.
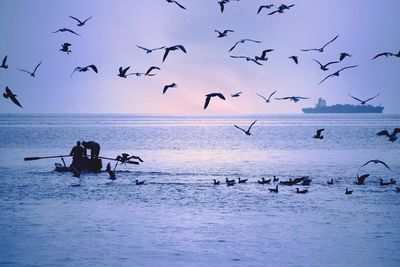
109, 40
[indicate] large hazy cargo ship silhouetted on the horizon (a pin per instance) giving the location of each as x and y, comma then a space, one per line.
321, 107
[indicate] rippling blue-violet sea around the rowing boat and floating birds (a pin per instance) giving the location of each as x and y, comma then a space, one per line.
179, 217
